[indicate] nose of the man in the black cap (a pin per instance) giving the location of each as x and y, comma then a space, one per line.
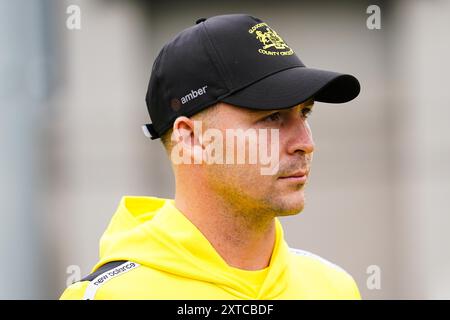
300, 138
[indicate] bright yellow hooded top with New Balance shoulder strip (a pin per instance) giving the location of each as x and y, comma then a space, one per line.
154, 252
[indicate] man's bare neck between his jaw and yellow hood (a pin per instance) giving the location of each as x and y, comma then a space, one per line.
245, 240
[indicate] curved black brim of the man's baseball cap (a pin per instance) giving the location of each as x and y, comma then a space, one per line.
293, 86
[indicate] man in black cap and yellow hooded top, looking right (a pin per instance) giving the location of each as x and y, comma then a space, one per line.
228, 77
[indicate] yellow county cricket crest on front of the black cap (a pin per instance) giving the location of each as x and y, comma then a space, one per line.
273, 44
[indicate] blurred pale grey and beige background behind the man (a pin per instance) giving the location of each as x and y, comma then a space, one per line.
72, 106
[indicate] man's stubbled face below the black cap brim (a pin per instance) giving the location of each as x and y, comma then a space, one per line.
243, 184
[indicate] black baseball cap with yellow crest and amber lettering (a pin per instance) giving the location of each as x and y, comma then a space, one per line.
237, 59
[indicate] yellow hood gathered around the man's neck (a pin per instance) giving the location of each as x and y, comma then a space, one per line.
154, 233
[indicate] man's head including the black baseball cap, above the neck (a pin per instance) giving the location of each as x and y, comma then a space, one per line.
260, 91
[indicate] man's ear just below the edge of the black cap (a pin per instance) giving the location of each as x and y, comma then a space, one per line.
187, 138
